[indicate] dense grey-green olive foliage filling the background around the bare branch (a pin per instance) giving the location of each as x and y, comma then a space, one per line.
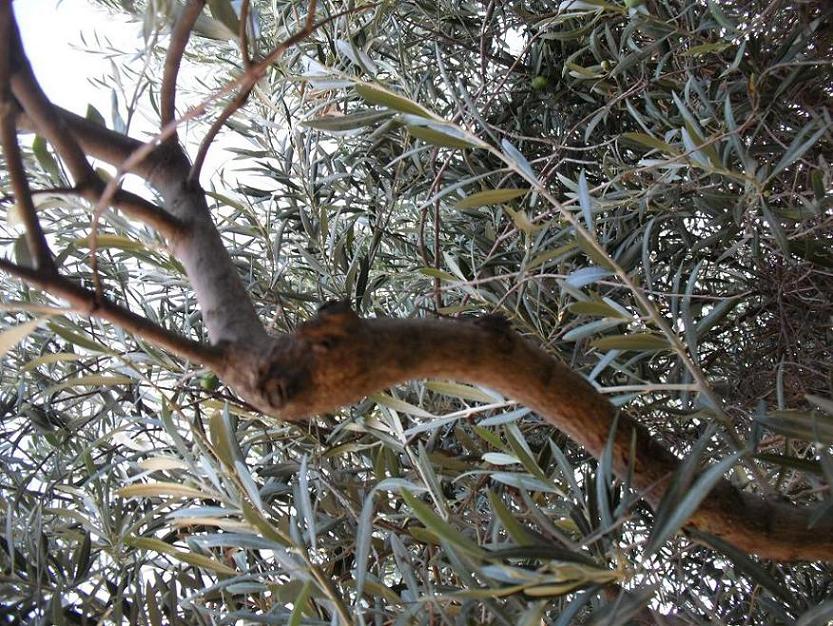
691, 140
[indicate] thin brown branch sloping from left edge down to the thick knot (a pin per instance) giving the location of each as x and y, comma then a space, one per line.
86, 302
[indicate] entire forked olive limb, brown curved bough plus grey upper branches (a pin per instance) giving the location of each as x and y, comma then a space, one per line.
338, 358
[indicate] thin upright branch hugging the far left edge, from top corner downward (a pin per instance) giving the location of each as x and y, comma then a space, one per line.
35, 237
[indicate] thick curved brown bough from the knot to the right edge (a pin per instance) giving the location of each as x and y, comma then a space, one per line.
339, 358
